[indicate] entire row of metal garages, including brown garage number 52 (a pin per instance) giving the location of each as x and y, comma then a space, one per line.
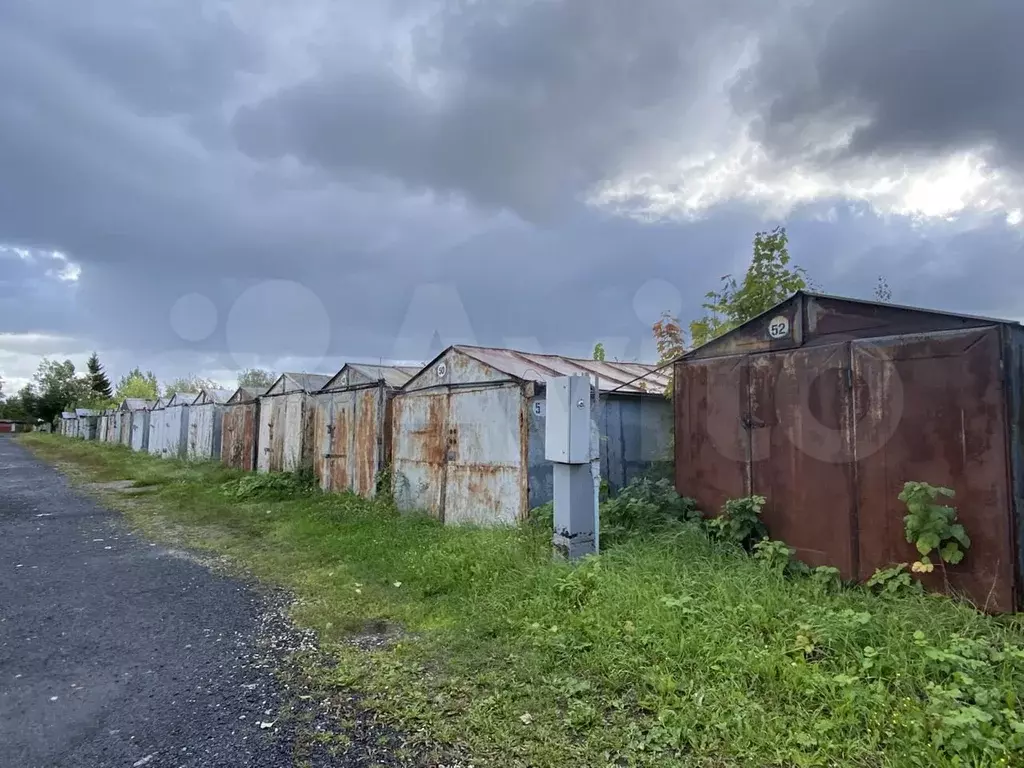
825, 406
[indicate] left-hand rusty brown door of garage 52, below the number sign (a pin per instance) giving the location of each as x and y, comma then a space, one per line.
774, 425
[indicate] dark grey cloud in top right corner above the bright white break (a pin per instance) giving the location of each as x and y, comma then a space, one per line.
921, 77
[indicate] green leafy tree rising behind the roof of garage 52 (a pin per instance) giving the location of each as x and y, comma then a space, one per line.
769, 281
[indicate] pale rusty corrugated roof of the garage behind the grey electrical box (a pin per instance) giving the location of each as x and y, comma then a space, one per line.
621, 377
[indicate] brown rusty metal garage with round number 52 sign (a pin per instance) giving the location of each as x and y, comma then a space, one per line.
828, 406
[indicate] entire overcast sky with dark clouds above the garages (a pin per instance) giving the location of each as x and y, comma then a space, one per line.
198, 186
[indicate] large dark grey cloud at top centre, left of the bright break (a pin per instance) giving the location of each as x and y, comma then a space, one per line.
528, 105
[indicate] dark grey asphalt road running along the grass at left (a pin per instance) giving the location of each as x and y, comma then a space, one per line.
115, 652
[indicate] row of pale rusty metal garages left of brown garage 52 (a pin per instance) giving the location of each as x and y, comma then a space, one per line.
463, 437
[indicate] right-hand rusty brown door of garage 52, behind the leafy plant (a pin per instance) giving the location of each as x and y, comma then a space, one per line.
934, 413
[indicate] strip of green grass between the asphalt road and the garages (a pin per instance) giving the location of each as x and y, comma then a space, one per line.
664, 652
